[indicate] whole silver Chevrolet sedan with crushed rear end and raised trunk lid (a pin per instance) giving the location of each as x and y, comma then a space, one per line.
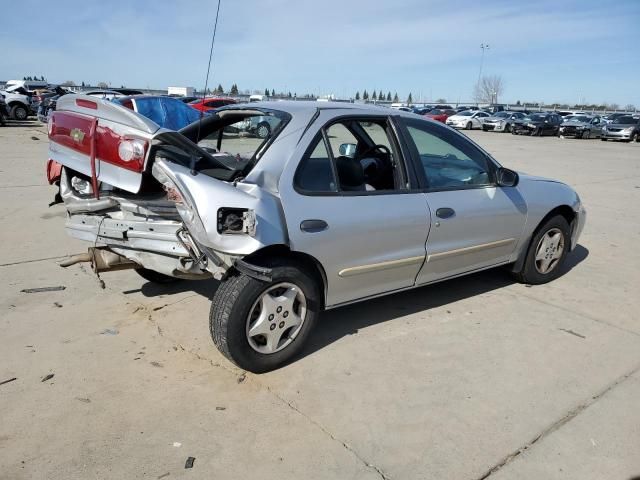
340, 203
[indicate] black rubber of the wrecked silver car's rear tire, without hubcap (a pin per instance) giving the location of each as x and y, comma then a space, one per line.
232, 304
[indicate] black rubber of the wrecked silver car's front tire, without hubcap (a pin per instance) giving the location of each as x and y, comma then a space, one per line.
529, 274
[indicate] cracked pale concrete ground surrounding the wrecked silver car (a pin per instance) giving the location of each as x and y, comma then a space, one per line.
469, 379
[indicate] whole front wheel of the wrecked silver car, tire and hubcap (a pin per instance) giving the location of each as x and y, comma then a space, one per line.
547, 252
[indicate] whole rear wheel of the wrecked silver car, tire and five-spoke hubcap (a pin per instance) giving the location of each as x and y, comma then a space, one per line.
261, 325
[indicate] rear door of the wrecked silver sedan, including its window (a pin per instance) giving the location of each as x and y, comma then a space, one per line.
347, 203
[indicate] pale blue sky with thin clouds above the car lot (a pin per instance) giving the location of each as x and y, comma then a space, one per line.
551, 51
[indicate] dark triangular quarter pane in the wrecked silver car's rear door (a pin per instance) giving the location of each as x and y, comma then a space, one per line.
315, 173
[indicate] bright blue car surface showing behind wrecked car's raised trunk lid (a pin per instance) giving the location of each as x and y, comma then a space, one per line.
168, 112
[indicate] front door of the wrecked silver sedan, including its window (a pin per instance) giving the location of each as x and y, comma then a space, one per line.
474, 223
